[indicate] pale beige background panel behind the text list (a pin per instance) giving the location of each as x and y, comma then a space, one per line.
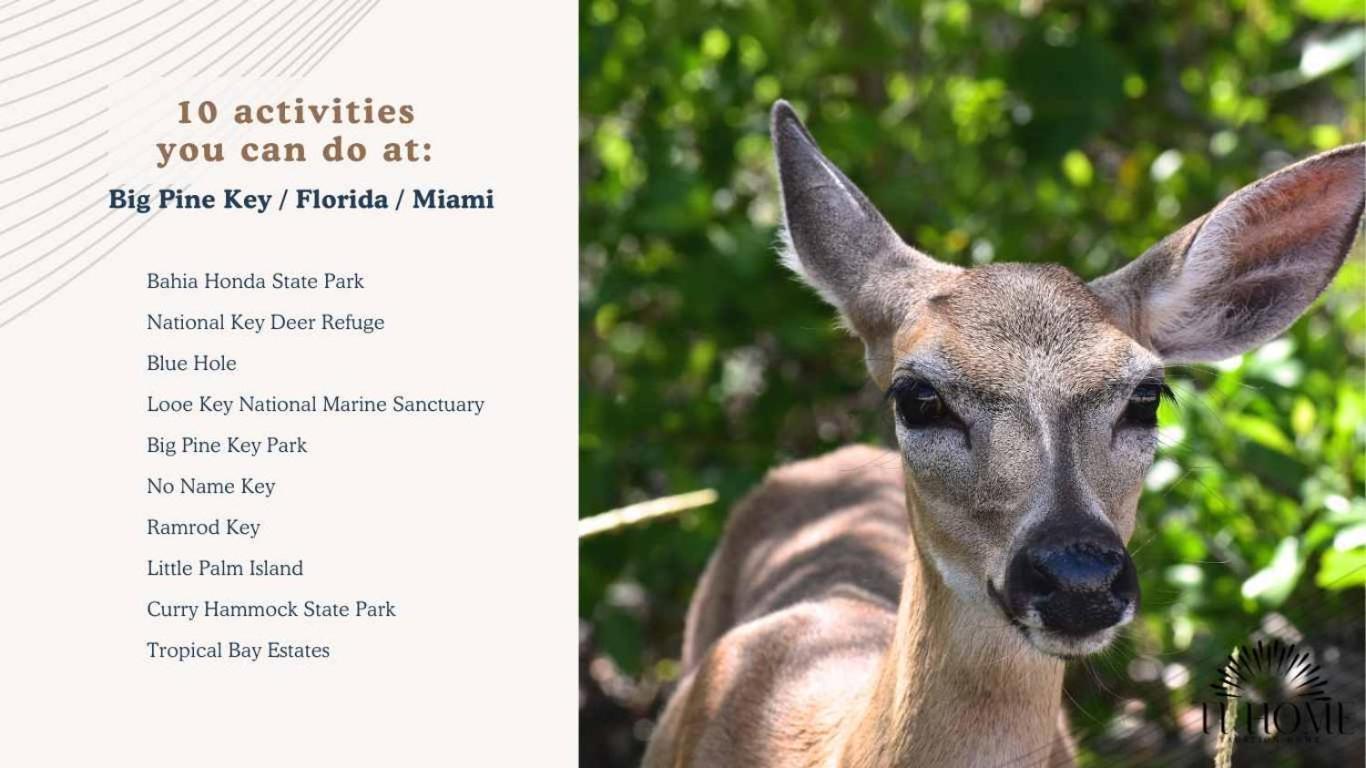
466, 524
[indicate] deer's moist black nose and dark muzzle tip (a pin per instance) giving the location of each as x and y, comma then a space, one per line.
1077, 584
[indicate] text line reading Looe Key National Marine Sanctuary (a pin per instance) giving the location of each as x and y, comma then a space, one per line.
315, 404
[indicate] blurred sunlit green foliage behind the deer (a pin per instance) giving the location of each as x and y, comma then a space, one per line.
1076, 133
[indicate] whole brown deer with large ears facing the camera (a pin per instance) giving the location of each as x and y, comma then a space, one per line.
916, 607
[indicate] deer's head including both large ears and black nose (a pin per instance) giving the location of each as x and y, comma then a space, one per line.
1025, 400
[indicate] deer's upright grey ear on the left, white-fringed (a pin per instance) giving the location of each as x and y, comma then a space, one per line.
837, 241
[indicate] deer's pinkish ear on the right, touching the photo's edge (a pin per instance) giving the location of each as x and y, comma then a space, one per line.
1244, 273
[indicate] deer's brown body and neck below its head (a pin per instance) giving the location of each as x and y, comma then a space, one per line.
823, 551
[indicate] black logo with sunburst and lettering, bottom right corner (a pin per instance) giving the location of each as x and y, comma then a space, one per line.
1277, 694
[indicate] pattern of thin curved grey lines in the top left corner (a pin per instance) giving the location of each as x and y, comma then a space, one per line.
65, 234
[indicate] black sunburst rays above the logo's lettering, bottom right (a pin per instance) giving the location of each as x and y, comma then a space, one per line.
1271, 672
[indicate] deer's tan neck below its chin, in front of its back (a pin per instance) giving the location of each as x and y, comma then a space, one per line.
956, 688
